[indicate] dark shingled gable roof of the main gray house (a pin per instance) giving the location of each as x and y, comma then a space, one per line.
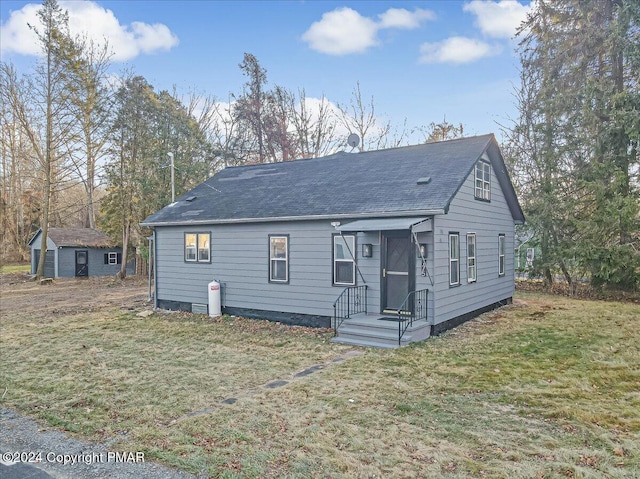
367, 184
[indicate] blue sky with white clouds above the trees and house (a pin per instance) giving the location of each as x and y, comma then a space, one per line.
420, 60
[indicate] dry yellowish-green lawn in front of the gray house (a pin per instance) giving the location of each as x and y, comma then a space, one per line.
549, 387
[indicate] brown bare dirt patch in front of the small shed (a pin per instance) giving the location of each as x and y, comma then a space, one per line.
23, 296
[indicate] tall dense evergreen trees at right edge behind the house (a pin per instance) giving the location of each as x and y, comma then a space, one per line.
576, 141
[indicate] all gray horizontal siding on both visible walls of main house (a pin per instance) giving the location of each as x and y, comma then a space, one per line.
240, 260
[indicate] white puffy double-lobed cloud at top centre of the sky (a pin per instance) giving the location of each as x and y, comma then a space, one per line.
344, 31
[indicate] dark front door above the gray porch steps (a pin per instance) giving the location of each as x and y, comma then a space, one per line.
397, 268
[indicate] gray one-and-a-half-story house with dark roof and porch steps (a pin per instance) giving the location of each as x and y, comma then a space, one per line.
387, 247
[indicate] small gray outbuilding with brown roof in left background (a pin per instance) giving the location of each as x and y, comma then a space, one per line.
72, 252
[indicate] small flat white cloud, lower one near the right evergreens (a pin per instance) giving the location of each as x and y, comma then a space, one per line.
456, 50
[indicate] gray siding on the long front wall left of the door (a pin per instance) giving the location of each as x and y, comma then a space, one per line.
240, 260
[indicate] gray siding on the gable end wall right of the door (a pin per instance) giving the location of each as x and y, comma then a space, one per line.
487, 220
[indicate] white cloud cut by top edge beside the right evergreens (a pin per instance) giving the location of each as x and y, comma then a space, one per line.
498, 19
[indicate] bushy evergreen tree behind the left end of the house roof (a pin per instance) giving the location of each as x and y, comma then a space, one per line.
147, 127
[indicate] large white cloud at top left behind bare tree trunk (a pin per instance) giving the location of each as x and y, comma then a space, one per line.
90, 19
